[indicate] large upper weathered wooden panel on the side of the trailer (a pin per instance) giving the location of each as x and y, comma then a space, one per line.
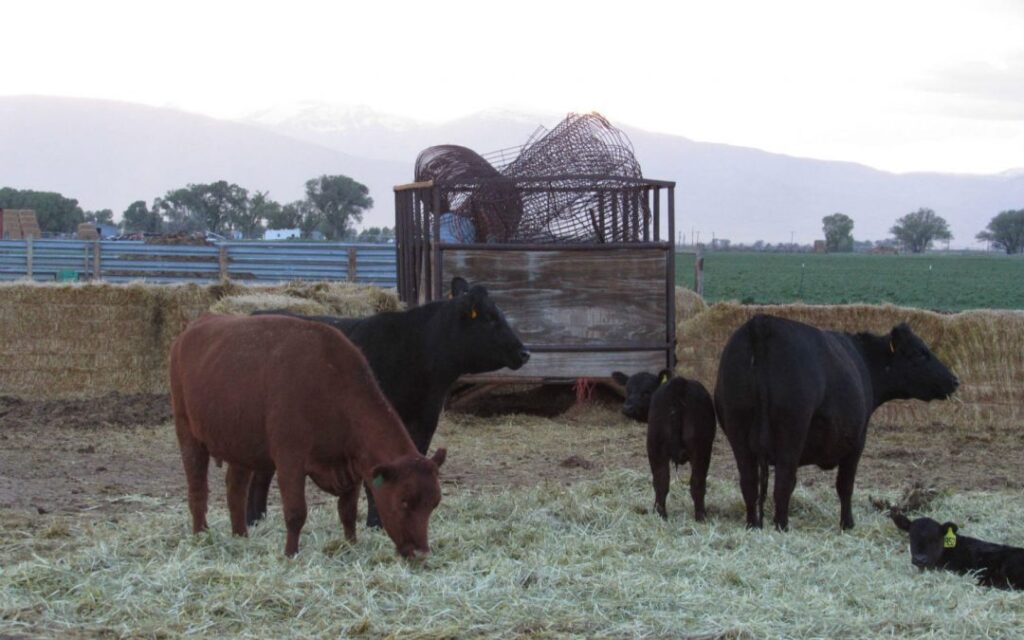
595, 297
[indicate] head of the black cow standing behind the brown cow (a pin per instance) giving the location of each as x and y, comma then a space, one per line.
485, 339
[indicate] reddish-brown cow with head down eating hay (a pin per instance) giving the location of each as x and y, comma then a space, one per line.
276, 393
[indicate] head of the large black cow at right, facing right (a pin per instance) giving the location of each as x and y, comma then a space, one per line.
913, 371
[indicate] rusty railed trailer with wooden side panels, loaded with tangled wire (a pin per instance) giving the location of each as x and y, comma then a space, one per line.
574, 244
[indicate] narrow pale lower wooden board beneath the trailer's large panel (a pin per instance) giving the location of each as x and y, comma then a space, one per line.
588, 365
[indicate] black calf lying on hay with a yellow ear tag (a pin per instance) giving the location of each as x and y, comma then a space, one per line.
942, 546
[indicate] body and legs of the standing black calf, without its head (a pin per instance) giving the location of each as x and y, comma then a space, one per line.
680, 430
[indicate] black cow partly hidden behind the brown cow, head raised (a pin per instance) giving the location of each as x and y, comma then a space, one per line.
416, 357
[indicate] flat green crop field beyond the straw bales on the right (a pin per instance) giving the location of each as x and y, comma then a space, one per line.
946, 283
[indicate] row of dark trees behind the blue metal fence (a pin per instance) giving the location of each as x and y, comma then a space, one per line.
332, 206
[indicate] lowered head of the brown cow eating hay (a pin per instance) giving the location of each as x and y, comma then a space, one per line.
407, 492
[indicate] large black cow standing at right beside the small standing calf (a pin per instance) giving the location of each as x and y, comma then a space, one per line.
789, 395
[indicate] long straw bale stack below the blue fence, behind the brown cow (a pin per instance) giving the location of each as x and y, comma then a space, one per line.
61, 340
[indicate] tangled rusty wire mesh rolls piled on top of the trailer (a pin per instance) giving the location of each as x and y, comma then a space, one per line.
556, 191
